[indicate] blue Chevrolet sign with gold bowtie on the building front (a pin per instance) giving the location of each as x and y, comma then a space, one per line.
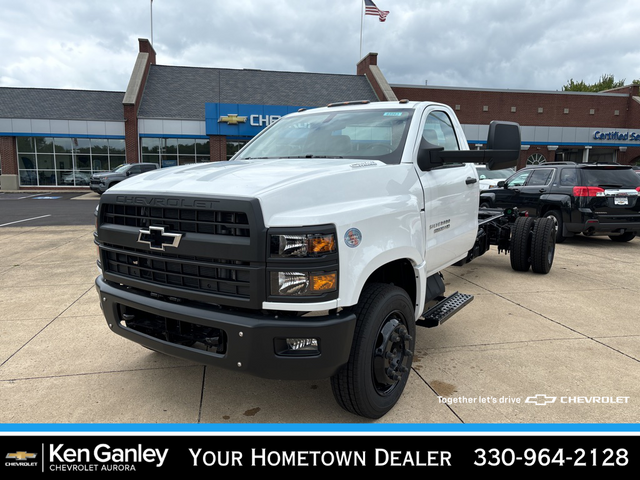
242, 120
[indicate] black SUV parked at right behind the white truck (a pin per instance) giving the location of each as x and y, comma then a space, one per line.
588, 198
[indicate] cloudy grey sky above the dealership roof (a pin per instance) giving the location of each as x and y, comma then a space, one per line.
515, 44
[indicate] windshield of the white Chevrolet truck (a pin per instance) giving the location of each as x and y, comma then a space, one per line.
363, 134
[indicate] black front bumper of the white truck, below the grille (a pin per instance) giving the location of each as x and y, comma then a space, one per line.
247, 342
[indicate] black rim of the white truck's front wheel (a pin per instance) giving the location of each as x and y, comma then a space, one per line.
392, 354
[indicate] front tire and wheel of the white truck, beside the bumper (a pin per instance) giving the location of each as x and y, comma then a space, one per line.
373, 379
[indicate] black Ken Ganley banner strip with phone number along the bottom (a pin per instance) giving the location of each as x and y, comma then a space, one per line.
211, 454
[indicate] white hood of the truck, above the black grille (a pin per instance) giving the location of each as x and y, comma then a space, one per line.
306, 189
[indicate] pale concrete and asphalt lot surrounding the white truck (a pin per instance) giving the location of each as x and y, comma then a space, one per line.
562, 348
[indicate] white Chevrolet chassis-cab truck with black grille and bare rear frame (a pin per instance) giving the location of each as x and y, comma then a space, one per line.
316, 250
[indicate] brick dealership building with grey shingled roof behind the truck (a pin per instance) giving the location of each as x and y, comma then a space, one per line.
173, 115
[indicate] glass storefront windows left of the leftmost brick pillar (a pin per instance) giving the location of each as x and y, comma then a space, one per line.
66, 161
